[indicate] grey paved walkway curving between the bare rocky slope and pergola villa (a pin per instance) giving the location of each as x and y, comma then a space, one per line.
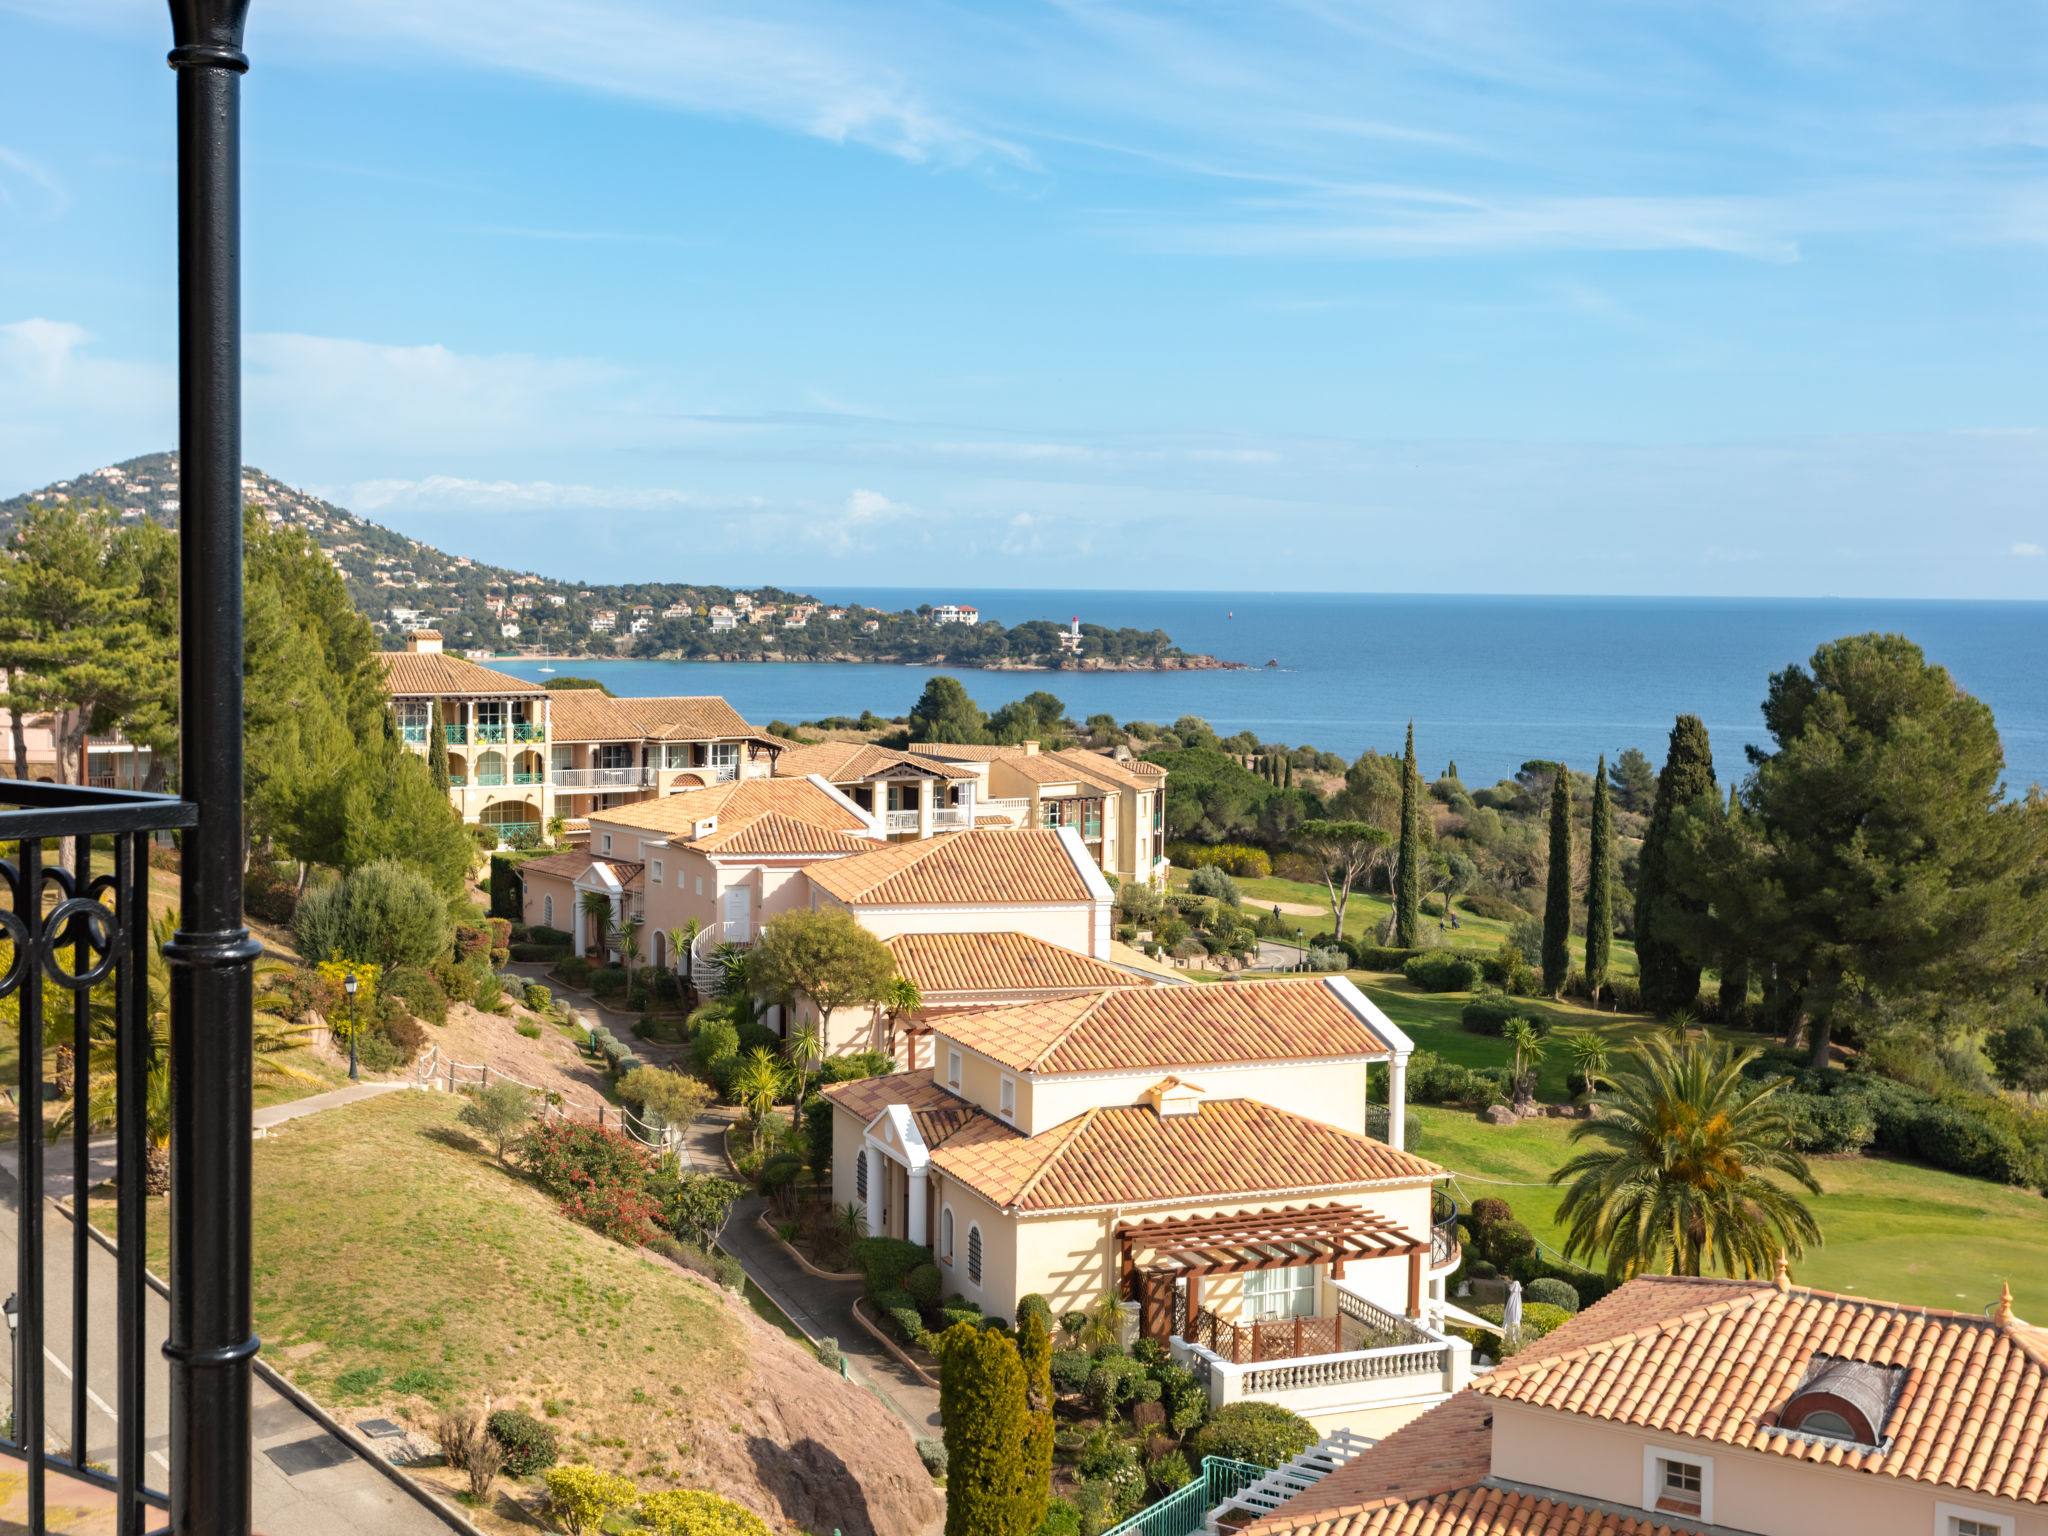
820, 1308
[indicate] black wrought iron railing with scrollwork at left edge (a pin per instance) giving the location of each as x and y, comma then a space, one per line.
77, 945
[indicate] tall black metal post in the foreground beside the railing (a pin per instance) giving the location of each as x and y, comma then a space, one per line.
212, 959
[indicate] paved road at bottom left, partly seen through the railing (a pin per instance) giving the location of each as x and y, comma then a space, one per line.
306, 1480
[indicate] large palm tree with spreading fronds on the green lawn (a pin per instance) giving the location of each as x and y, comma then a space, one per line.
1680, 1175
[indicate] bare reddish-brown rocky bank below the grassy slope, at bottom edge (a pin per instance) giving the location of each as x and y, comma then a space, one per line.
804, 1447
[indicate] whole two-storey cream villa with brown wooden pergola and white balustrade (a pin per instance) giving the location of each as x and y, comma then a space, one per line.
1199, 1150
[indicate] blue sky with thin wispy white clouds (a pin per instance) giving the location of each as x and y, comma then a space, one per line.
1431, 296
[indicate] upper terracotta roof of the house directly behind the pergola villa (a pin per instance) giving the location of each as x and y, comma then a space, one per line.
962, 867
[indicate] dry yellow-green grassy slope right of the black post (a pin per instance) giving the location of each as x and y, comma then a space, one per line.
390, 1244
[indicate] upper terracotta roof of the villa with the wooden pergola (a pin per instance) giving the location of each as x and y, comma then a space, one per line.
1181, 1027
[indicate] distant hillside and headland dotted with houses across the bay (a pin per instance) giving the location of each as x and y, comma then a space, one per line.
402, 585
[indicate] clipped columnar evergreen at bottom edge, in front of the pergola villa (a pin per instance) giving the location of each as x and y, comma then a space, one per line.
982, 1402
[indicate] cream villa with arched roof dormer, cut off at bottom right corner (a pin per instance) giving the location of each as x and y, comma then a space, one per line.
1721, 1406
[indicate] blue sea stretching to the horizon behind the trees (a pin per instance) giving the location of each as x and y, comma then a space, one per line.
1488, 681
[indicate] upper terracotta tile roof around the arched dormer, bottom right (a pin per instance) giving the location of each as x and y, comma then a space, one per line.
1971, 1412
